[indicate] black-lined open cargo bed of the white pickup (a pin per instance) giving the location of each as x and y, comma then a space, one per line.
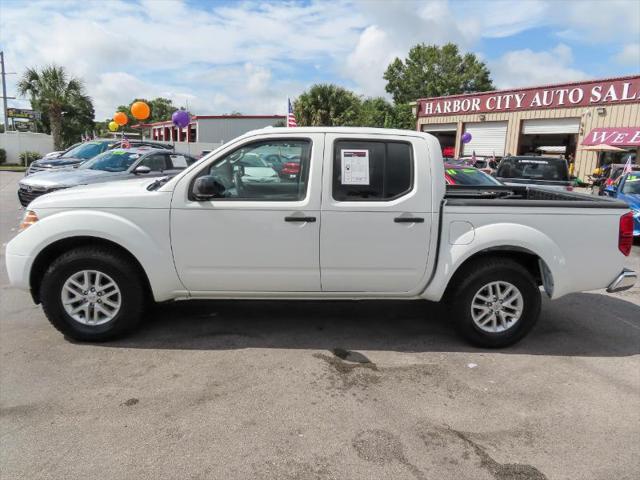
514, 196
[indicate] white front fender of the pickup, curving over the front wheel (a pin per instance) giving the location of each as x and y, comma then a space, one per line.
142, 232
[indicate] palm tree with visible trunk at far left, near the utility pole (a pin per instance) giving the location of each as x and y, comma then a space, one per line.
52, 89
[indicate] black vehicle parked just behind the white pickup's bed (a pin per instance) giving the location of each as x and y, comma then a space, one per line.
538, 171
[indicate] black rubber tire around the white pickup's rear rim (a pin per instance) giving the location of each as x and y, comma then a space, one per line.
471, 279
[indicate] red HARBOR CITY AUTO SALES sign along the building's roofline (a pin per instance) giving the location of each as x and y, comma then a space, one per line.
602, 92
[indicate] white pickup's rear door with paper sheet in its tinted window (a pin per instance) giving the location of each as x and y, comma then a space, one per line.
376, 213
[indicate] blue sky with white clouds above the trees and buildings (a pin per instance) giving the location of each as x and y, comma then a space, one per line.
248, 56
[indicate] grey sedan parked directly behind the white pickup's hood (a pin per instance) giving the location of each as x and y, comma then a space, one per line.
118, 164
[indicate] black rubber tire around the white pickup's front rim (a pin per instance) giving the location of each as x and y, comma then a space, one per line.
122, 272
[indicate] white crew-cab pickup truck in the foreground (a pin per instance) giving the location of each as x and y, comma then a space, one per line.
366, 216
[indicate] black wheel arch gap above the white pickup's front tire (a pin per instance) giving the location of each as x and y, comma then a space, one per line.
52, 251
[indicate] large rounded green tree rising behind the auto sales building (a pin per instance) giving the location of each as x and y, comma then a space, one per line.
431, 71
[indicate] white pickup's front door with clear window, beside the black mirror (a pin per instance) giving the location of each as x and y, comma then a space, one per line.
263, 235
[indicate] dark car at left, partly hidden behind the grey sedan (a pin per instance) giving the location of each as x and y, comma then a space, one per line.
74, 157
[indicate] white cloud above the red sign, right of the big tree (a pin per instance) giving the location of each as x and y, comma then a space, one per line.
522, 68
